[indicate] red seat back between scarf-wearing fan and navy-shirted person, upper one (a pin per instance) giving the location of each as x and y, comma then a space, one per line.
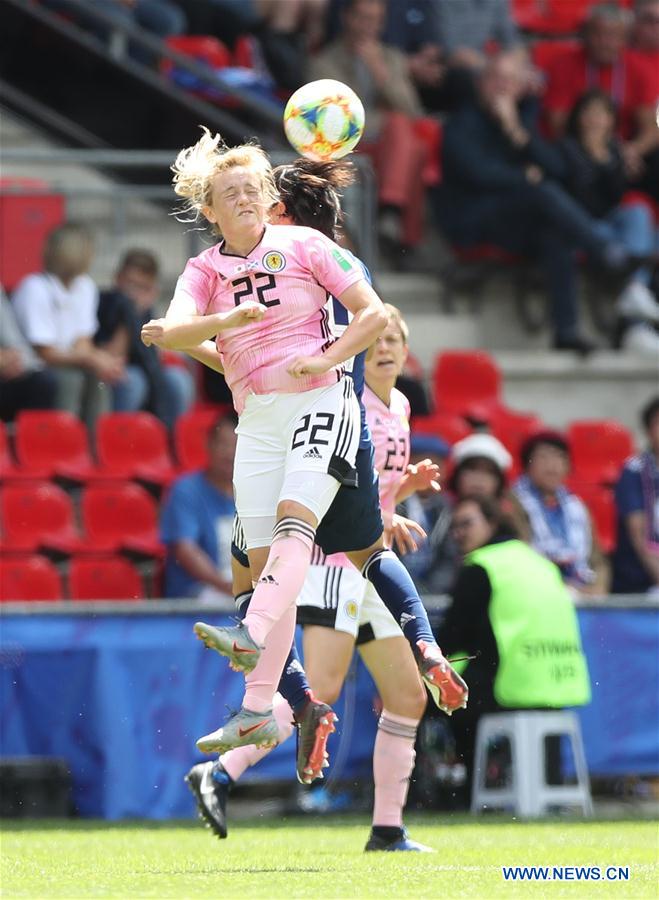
598, 449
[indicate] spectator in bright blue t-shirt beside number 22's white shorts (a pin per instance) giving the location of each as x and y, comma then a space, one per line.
197, 519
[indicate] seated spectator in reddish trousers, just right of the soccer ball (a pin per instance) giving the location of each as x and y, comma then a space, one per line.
379, 75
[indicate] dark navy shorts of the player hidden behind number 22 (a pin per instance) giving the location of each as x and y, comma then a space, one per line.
353, 521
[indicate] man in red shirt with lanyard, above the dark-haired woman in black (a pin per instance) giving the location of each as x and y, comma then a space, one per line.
603, 61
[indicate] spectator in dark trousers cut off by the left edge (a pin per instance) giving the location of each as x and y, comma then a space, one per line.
25, 383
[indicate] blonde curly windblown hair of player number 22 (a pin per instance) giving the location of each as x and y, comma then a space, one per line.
196, 167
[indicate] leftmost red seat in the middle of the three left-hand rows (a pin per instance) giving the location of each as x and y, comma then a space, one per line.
38, 515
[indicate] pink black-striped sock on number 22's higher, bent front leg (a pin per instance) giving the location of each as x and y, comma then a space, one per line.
283, 576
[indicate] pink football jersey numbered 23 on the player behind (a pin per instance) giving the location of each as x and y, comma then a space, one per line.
390, 430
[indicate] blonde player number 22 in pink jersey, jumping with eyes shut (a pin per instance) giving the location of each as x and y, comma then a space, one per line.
262, 292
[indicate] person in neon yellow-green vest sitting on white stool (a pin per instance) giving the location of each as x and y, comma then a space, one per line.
511, 608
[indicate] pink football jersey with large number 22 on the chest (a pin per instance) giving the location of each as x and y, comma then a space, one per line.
291, 271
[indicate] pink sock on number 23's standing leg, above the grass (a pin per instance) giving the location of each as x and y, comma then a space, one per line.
393, 761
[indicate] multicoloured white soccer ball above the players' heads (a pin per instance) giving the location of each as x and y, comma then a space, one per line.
324, 119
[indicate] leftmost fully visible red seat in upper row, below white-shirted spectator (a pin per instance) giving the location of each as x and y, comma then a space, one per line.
53, 443
